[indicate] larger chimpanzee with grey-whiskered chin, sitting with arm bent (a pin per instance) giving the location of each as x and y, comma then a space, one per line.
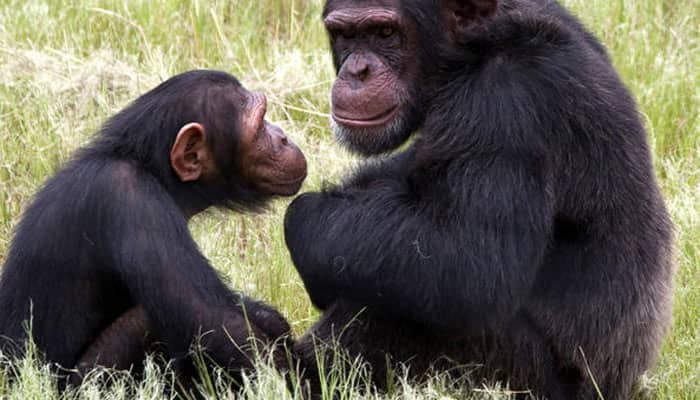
523, 229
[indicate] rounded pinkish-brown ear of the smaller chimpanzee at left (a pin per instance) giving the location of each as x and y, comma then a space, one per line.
189, 154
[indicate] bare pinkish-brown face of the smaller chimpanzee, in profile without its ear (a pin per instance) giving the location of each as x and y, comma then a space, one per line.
268, 160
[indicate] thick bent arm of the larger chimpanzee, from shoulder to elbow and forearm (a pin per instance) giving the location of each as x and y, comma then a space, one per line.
456, 248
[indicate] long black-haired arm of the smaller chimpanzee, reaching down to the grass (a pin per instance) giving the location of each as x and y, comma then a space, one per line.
164, 272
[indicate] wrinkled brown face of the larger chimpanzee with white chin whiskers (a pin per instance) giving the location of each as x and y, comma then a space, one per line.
373, 104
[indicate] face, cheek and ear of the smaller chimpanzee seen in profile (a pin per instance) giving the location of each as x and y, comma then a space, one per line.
263, 158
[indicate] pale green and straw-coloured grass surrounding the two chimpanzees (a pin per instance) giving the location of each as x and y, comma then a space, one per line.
66, 65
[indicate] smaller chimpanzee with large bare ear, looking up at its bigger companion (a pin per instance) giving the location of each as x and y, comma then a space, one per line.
108, 233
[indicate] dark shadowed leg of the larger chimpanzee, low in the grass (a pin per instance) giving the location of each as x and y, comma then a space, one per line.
381, 342
